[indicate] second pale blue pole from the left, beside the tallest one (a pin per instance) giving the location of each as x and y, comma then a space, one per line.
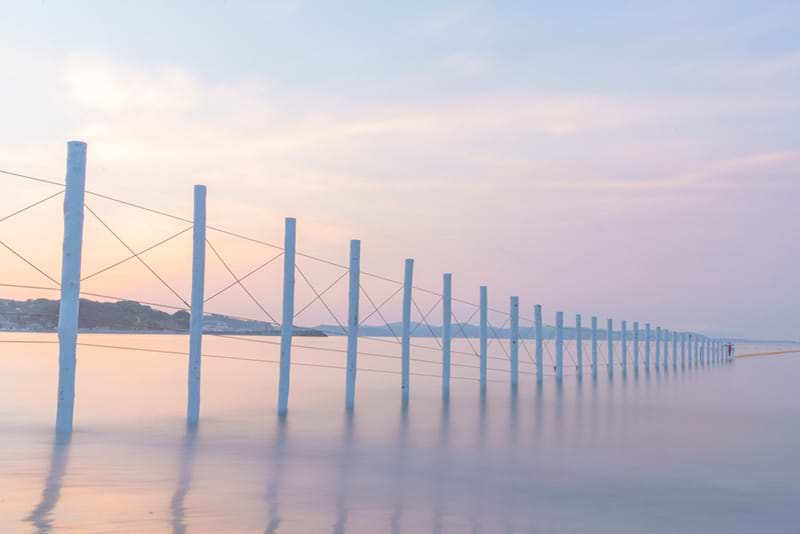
198, 296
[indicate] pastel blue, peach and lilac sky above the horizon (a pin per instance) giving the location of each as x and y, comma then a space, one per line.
633, 160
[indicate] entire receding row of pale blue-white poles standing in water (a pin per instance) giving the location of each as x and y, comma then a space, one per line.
692, 347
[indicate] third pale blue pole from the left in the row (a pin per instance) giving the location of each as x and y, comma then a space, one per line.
287, 320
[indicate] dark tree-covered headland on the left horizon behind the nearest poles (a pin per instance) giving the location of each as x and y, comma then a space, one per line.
41, 315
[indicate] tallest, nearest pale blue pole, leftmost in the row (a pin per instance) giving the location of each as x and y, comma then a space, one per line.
70, 284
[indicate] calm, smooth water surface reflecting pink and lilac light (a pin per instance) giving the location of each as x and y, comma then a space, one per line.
706, 450
